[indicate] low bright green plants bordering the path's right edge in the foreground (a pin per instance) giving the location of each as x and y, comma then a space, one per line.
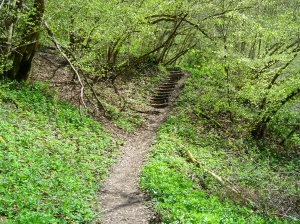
178, 200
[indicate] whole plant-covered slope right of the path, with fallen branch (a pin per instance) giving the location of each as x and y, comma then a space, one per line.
265, 174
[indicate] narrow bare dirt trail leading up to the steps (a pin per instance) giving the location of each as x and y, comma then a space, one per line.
121, 199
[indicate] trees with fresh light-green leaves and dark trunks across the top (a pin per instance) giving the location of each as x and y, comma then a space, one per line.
255, 44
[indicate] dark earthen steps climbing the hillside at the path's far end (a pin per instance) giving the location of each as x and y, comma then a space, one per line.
162, 95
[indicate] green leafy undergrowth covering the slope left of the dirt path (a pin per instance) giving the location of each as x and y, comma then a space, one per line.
51, 158
